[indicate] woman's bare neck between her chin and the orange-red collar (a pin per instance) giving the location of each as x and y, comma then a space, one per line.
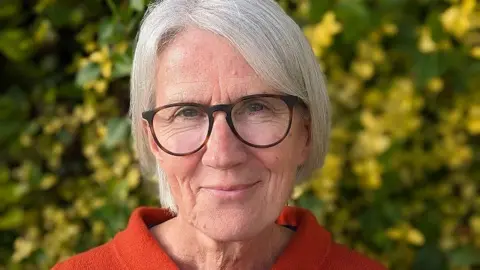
191, 249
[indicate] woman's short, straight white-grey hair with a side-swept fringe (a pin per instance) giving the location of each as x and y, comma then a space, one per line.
269, 40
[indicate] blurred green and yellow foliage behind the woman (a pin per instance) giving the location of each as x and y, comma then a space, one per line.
401, 180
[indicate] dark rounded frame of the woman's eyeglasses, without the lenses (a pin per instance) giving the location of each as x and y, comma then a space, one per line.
289, 100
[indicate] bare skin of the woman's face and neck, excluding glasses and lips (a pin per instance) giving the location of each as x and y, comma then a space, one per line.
214, 232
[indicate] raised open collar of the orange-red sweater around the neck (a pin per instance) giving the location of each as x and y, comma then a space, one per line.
137, 248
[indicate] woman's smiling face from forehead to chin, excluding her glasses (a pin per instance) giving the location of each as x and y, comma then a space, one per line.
227, 190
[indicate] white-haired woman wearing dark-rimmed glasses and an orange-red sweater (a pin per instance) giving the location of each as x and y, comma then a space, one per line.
229, 109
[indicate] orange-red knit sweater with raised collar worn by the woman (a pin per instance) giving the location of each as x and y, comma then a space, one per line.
311, 247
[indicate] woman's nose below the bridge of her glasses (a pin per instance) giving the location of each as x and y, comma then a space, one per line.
223, 149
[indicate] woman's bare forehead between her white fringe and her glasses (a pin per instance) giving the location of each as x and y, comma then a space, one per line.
203, 67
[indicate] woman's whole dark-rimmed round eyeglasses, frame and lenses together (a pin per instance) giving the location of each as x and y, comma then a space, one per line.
259, 121
